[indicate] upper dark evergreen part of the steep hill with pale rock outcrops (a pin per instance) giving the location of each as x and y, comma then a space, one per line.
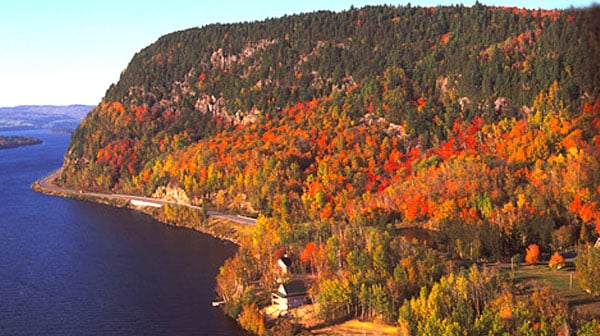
418, 67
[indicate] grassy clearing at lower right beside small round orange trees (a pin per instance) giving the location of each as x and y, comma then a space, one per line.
560, 280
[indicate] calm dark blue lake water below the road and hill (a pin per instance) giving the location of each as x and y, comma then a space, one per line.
75, 268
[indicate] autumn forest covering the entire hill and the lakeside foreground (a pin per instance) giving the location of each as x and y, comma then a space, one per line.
480, 125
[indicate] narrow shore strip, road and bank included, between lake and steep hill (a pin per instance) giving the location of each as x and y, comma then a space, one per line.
218, 225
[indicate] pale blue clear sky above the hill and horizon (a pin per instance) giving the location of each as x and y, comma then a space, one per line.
69, 51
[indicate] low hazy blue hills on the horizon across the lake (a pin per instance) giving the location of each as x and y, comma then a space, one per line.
42, 116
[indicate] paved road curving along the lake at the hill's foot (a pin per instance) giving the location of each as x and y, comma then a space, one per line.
46, 183
